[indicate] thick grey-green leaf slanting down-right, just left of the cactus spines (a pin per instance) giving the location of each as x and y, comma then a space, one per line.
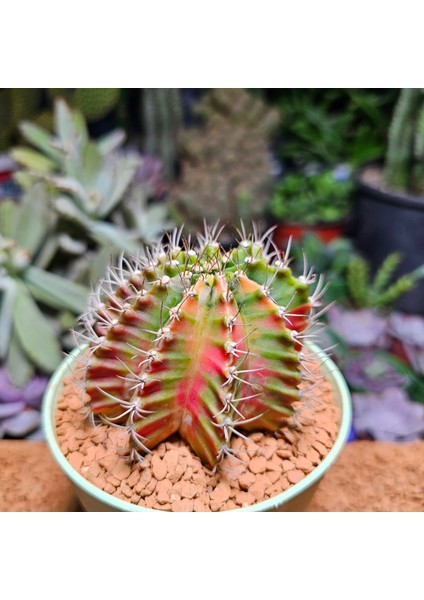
56, 291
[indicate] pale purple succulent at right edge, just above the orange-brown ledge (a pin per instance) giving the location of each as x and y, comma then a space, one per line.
388, 416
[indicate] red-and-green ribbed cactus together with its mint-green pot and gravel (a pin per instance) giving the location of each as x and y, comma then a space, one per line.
197, 367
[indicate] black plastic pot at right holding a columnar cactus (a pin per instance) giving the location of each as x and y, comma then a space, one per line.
387, 222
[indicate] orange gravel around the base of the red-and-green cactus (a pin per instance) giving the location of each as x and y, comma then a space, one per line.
172, 478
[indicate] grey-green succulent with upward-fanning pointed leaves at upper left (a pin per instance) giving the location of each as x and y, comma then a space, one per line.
89, 179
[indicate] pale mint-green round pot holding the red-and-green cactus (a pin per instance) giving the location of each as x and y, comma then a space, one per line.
294, 499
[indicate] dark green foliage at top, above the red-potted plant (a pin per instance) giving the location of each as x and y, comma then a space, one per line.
332, 126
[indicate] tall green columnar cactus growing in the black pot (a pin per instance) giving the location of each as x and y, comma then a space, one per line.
404, 168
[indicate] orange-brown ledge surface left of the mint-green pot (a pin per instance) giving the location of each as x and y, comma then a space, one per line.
30, 480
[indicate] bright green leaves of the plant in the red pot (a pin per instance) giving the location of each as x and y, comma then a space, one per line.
311, 199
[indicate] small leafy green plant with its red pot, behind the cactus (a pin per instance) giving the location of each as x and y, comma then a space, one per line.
317, 202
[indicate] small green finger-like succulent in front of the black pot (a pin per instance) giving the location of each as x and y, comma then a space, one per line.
380, 291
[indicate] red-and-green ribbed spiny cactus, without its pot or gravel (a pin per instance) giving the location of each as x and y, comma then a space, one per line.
195, 340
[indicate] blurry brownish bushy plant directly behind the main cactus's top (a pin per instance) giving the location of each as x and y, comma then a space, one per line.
226, 168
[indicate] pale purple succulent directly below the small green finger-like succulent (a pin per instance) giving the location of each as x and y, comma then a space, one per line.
359, 328
